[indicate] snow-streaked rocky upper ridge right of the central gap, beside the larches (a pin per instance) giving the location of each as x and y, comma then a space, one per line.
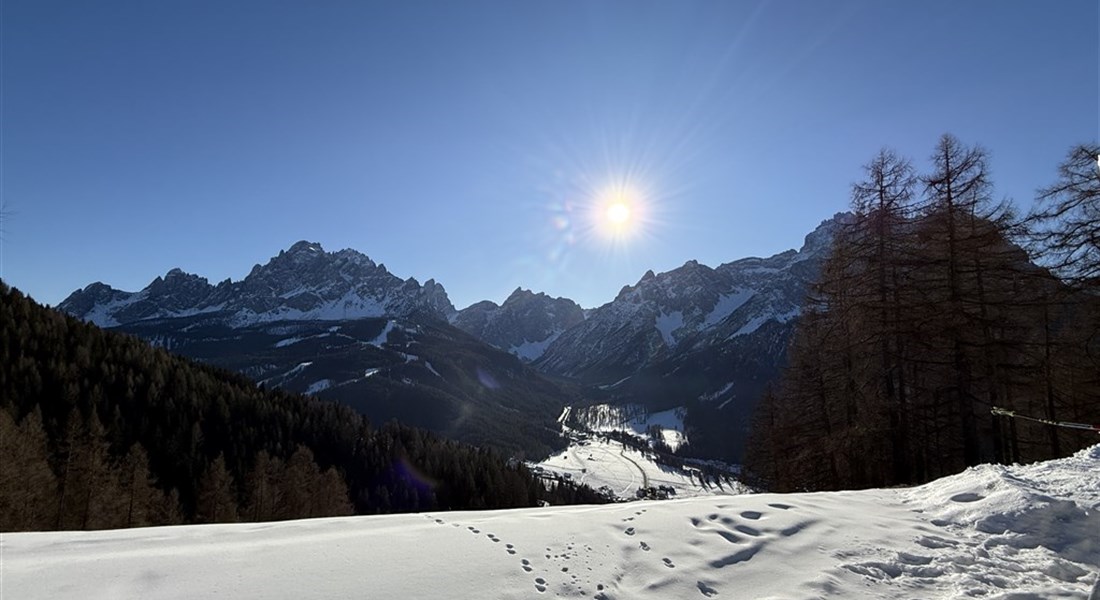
688, 309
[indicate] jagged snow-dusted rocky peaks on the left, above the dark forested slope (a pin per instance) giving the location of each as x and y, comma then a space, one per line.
304, 282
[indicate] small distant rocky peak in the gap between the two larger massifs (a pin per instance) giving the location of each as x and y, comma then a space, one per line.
525, 325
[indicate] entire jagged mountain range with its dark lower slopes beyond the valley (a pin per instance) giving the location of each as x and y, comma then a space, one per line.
342, 326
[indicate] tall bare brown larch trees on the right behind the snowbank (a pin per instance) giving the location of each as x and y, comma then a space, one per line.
927, 317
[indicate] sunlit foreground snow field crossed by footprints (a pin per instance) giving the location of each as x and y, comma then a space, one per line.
993, 532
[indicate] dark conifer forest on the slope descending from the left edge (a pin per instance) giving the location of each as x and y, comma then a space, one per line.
101, 430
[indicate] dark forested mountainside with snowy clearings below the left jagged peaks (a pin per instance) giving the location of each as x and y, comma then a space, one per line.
423, 373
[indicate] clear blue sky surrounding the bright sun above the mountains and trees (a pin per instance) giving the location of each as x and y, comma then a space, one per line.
464, 141
